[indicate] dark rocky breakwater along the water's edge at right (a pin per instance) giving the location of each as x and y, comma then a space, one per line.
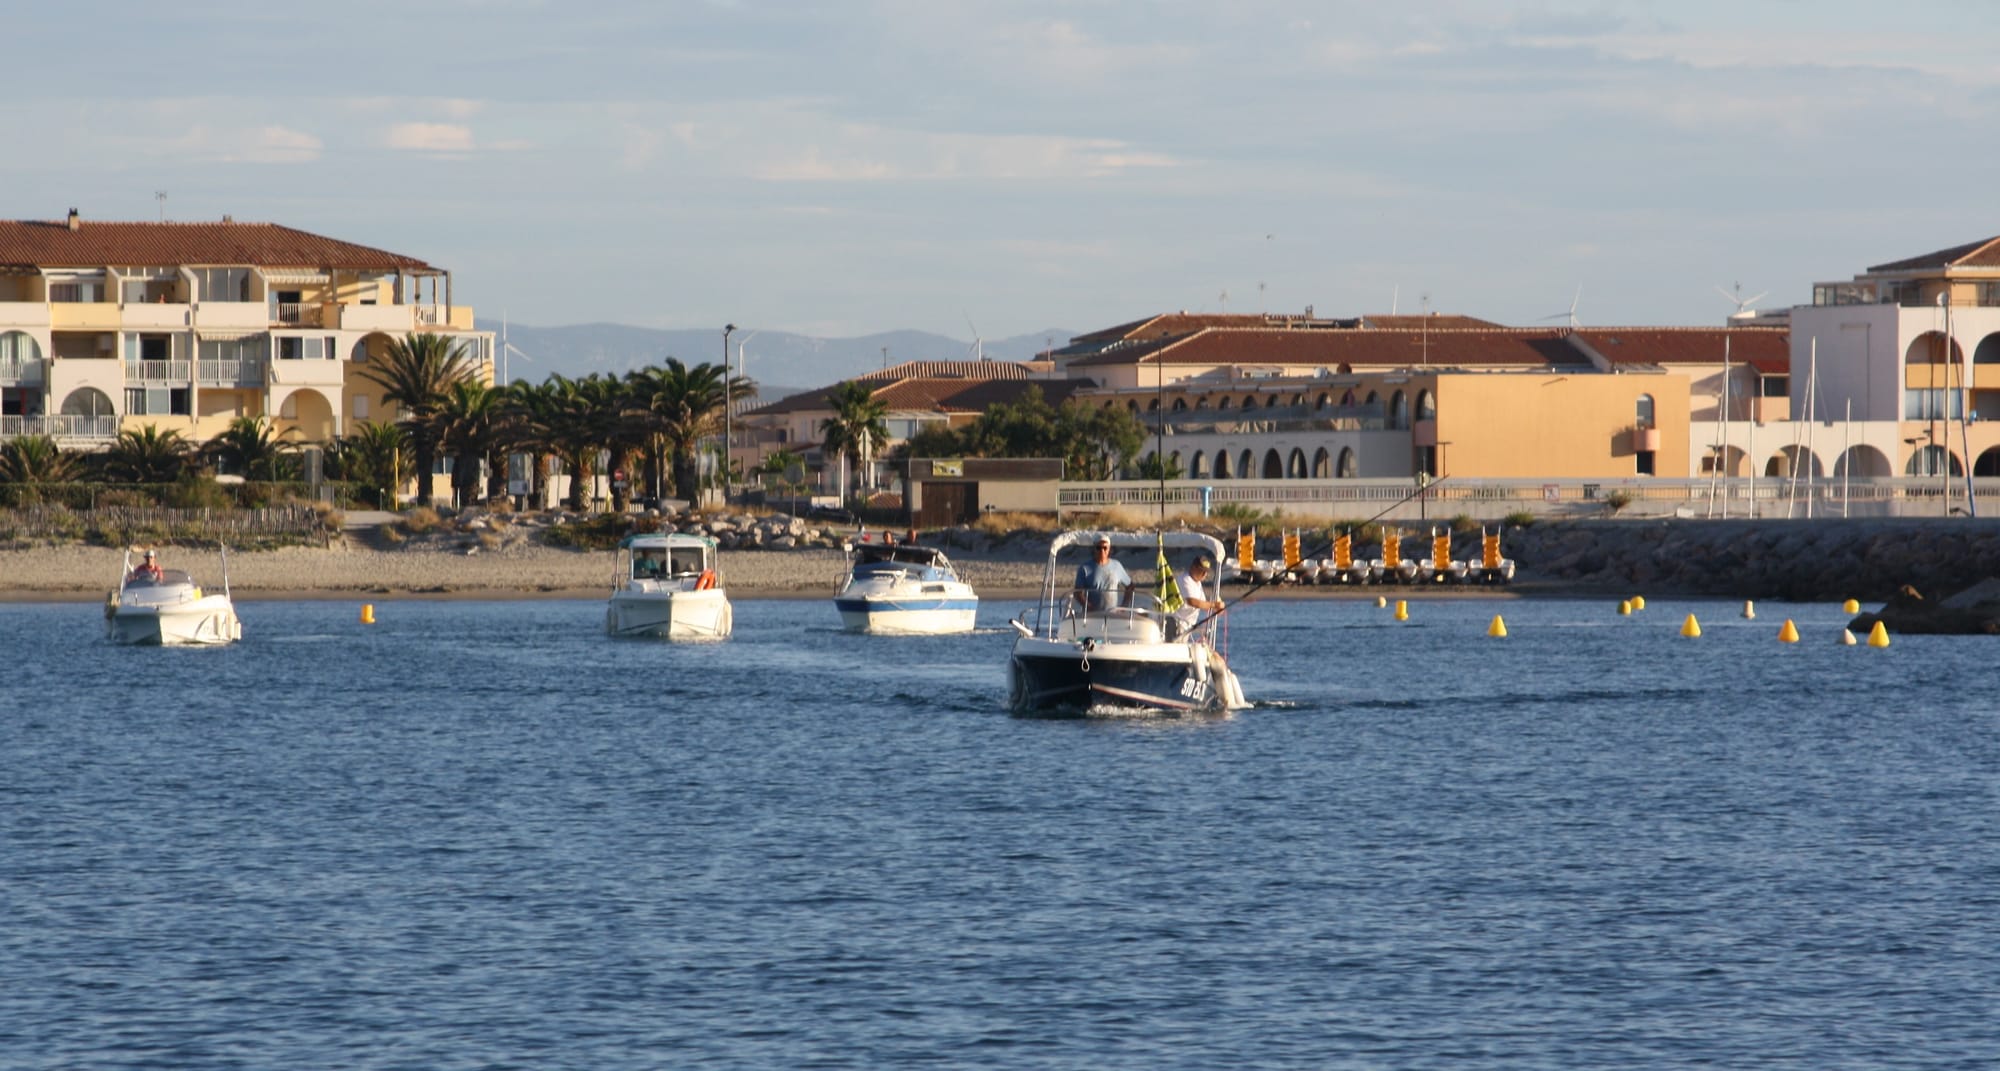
1805, 560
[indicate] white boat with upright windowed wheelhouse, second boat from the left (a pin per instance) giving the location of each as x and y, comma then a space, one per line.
667, 586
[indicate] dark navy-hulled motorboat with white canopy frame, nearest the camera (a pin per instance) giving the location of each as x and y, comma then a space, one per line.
1131, 656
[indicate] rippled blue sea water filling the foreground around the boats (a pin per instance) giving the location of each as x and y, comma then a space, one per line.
487, 836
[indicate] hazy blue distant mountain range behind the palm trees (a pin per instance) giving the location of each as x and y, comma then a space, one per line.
781, 363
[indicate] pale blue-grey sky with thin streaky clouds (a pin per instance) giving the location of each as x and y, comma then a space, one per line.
1003, 169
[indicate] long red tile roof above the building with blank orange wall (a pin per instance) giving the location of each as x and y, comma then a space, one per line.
1373, 349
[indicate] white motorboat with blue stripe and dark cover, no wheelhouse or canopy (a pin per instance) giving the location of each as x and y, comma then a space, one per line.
905, 590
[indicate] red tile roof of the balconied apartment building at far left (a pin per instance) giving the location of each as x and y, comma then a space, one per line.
107, 245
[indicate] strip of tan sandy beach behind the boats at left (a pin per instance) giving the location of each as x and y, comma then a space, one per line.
83, 572
